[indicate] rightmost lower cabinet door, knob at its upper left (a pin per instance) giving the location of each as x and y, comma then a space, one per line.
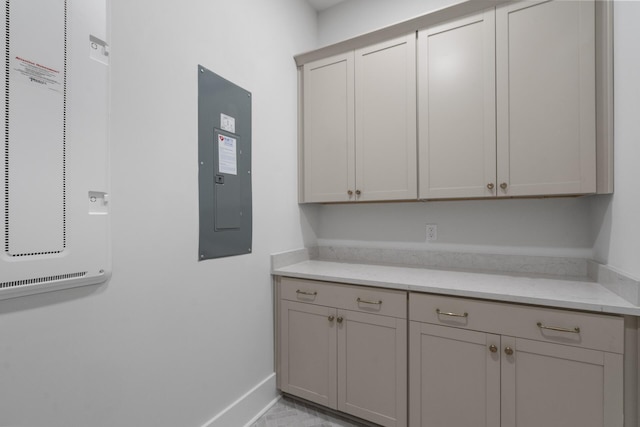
546, 384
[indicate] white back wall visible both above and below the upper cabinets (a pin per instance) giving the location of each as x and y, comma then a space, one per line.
534, 227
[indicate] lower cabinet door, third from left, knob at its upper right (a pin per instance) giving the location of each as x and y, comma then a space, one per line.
455, 377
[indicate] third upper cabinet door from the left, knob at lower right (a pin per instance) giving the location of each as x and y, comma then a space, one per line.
457, 130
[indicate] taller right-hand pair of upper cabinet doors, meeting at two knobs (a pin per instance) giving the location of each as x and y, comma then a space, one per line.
534, 64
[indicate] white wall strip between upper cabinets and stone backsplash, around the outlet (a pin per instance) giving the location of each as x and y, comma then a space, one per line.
525, 227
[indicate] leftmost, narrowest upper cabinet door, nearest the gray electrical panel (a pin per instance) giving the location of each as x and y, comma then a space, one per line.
329, 129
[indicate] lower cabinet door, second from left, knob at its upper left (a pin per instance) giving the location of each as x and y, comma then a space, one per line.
372, 367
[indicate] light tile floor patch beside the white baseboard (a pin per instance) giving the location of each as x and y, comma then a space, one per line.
292, 413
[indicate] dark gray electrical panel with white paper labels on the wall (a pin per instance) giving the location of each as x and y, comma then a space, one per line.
224, 156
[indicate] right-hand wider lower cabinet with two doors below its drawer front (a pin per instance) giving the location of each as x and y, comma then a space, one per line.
479, 363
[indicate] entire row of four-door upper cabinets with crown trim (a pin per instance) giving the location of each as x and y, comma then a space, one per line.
510, 101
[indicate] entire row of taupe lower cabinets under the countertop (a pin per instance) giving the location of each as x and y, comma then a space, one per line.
471, 363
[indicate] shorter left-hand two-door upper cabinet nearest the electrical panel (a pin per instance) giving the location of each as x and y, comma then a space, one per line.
359, 120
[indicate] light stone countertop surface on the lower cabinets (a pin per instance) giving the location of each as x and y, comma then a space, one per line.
569, 294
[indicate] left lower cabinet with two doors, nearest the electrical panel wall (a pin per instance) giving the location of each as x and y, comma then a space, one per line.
344, 347
